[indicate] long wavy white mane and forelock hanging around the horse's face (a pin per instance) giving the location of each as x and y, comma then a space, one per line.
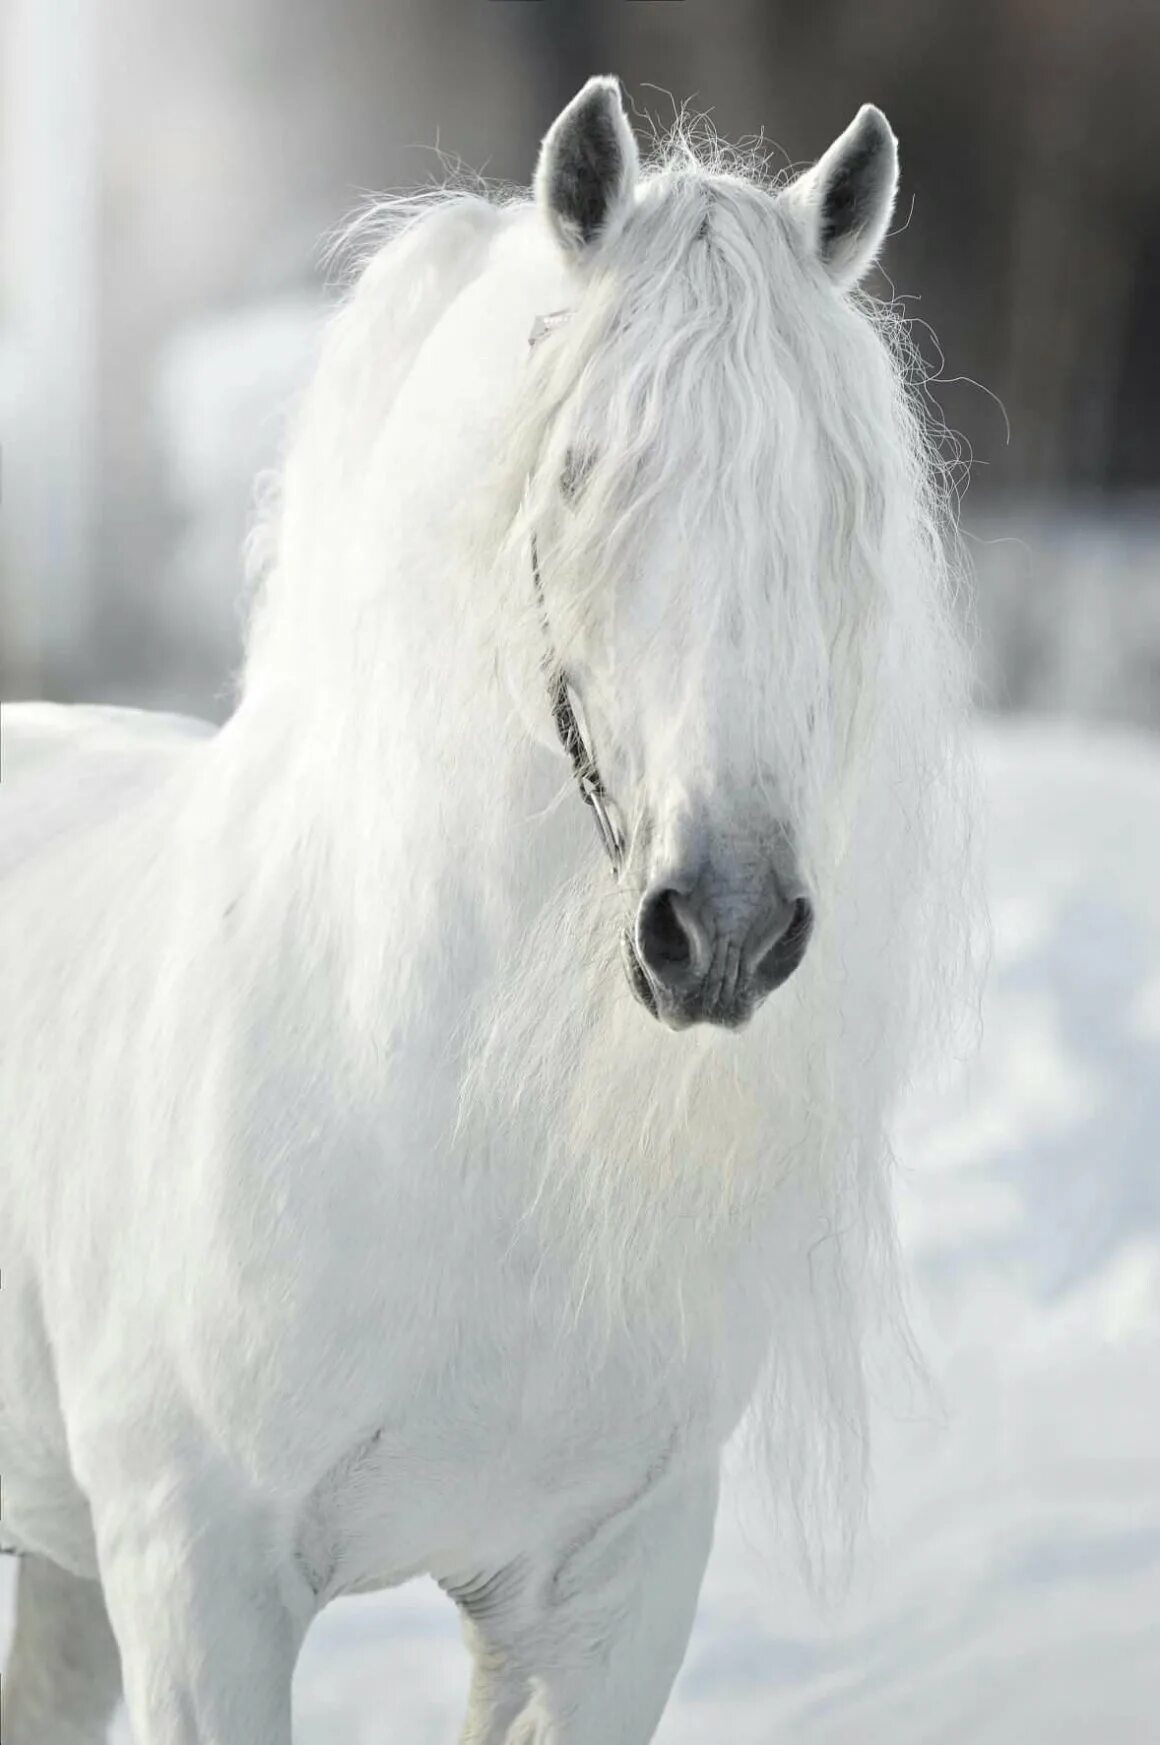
699, 378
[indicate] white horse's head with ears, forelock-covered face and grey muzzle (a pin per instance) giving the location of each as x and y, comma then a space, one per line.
713, 462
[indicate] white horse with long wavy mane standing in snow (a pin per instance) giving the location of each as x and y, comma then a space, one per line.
386, 1187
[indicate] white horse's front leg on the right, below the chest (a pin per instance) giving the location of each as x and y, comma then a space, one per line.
587, 1653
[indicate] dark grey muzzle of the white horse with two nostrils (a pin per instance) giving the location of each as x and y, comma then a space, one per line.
709, 954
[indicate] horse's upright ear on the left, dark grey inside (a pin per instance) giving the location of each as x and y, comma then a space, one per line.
587, 167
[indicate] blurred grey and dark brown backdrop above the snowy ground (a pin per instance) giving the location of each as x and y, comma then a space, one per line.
168, 170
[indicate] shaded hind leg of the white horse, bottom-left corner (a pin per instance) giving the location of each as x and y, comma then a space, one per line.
64, 1674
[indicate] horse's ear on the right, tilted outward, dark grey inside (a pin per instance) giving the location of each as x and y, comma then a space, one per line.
847, 200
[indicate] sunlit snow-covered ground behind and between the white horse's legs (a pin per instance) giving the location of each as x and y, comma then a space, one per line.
1011, 1587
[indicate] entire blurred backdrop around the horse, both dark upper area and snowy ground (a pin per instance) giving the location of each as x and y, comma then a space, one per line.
168, 174
